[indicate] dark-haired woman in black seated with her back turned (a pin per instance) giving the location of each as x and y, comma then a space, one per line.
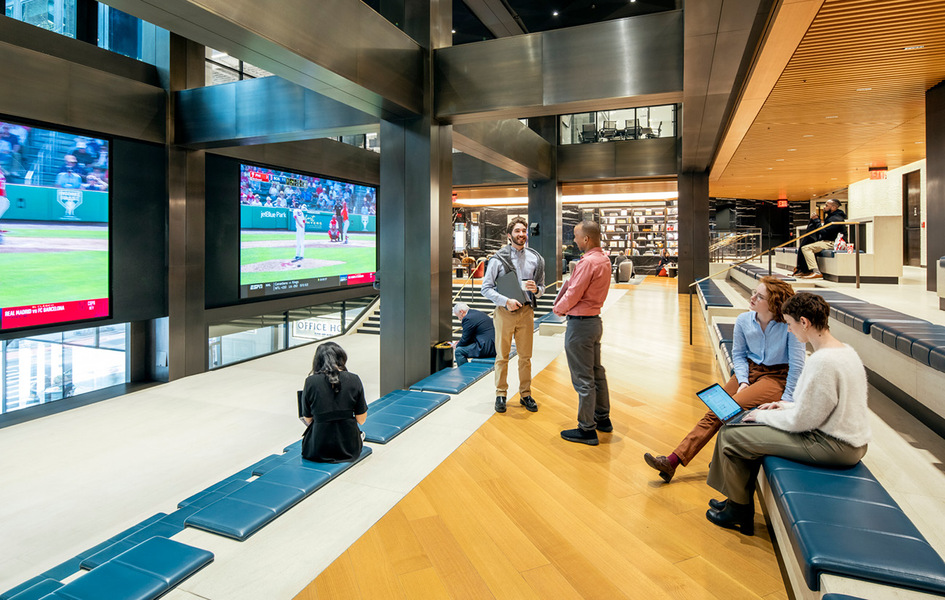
333, 406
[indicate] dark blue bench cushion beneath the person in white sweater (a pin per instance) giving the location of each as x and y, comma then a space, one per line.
843, 522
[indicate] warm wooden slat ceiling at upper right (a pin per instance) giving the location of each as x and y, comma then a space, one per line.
852, 96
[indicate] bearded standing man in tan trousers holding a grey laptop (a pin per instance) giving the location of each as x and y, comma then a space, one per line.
512, 318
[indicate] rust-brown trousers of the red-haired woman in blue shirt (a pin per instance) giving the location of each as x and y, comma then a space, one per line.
765, 384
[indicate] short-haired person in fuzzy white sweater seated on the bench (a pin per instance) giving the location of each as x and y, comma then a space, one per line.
827, 424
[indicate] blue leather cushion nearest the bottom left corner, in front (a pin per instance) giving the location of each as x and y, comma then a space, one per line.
145, 571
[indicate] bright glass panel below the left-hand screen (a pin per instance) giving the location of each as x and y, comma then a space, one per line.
45, 368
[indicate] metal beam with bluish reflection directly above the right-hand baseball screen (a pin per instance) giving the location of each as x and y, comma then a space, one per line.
265, 110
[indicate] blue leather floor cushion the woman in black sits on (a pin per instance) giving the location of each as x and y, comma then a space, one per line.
245, 511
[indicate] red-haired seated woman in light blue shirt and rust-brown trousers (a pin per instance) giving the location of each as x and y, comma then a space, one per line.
767, 361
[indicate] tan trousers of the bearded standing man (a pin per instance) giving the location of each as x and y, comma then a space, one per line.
519, 324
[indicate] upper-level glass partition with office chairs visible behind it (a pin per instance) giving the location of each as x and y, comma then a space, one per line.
646, 122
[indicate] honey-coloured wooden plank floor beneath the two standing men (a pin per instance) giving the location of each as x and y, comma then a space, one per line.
516, 512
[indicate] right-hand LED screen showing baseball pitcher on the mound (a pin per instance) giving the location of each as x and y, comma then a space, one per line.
304, 233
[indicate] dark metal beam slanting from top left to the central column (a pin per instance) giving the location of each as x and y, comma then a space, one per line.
339, 48
